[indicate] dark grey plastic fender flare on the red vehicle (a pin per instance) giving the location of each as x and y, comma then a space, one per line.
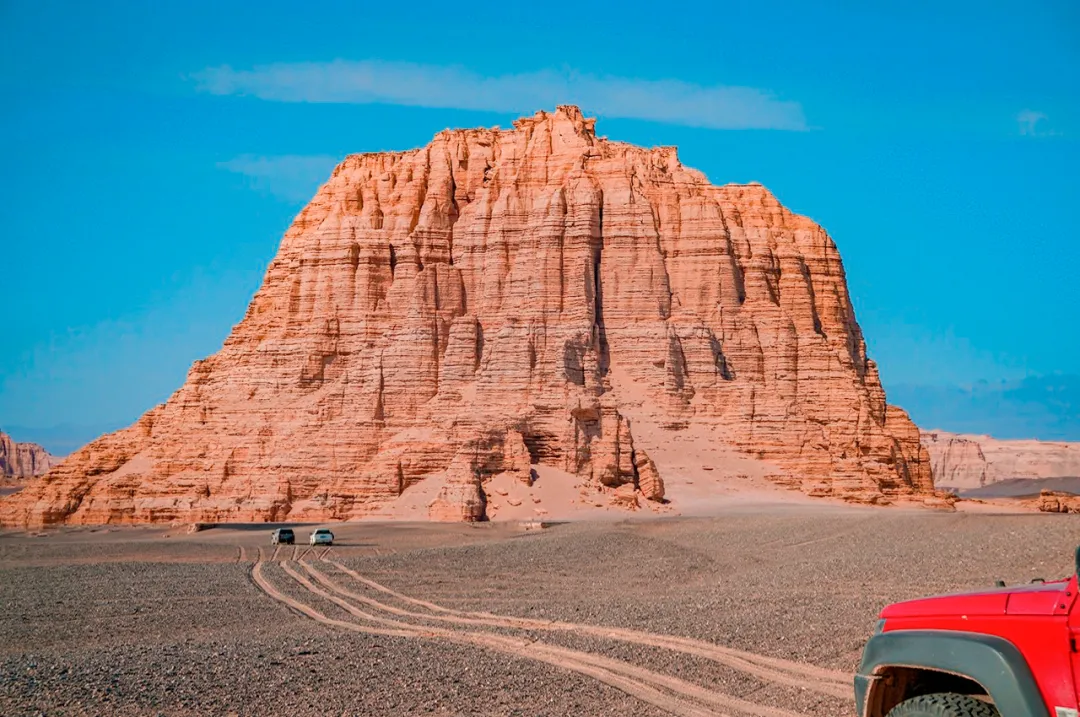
993, 662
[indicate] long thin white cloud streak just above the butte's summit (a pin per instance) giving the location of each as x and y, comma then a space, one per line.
673, 102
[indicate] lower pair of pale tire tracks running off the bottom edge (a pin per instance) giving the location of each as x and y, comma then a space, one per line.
670, 694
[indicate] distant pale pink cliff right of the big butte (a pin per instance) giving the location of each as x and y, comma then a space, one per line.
965, 463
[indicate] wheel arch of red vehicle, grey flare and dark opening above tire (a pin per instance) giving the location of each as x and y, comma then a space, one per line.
902, 665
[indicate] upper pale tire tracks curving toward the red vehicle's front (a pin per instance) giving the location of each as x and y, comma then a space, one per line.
771, 670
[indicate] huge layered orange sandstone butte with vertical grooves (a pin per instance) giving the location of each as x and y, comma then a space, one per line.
492, 303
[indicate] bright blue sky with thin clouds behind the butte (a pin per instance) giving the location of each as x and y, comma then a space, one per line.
155, 154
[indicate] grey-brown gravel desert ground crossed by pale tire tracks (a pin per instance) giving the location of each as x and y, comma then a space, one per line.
755, 611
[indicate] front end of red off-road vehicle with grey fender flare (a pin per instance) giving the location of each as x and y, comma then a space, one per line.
1003, 653
